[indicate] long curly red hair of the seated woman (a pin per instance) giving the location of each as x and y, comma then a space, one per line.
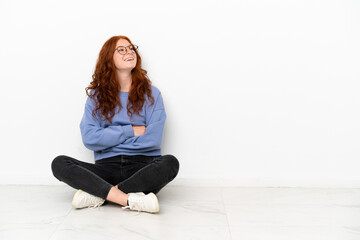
106, 86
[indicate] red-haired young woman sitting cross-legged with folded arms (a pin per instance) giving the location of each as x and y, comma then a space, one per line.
123, 124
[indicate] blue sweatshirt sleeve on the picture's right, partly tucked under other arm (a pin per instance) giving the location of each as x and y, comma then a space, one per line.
152, 138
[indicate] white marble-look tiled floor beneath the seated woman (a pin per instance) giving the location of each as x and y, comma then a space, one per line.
45, 212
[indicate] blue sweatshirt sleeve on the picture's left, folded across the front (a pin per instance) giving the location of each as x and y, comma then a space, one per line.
97, 138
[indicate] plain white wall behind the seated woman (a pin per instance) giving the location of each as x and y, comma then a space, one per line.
258, 93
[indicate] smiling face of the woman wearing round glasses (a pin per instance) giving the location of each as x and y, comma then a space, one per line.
127, 60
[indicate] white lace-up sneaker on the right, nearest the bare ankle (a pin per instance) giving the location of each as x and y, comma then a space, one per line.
143, 203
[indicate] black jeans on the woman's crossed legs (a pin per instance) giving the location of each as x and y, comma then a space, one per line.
131, 173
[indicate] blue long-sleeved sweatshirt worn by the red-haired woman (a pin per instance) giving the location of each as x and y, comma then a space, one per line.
117, 138
